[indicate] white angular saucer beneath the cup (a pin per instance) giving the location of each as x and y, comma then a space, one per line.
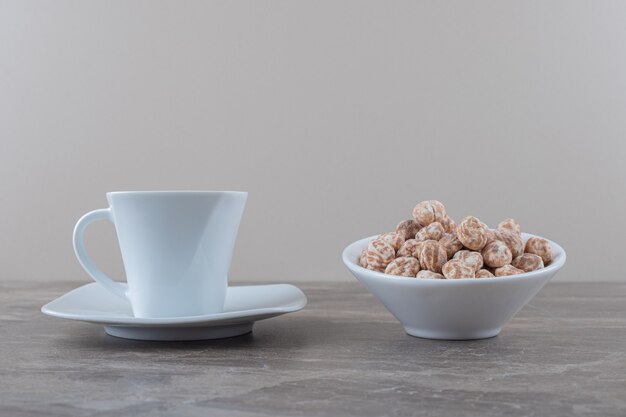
243, 306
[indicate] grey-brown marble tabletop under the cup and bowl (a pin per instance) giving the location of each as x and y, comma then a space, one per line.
564, 354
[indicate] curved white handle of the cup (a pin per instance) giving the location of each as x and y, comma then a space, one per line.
84, 259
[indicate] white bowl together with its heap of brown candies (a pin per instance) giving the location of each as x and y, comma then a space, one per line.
444, 280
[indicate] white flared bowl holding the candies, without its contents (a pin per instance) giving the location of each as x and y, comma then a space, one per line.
452, 309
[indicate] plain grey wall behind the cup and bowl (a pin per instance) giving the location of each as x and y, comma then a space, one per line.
336, 116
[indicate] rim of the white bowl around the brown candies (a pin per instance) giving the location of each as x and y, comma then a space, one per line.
556, 264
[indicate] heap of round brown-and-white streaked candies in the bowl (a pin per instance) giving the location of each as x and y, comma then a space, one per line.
431, 242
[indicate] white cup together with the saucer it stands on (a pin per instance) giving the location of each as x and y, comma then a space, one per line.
176, 248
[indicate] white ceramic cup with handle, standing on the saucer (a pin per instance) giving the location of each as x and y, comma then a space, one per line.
176, 247
